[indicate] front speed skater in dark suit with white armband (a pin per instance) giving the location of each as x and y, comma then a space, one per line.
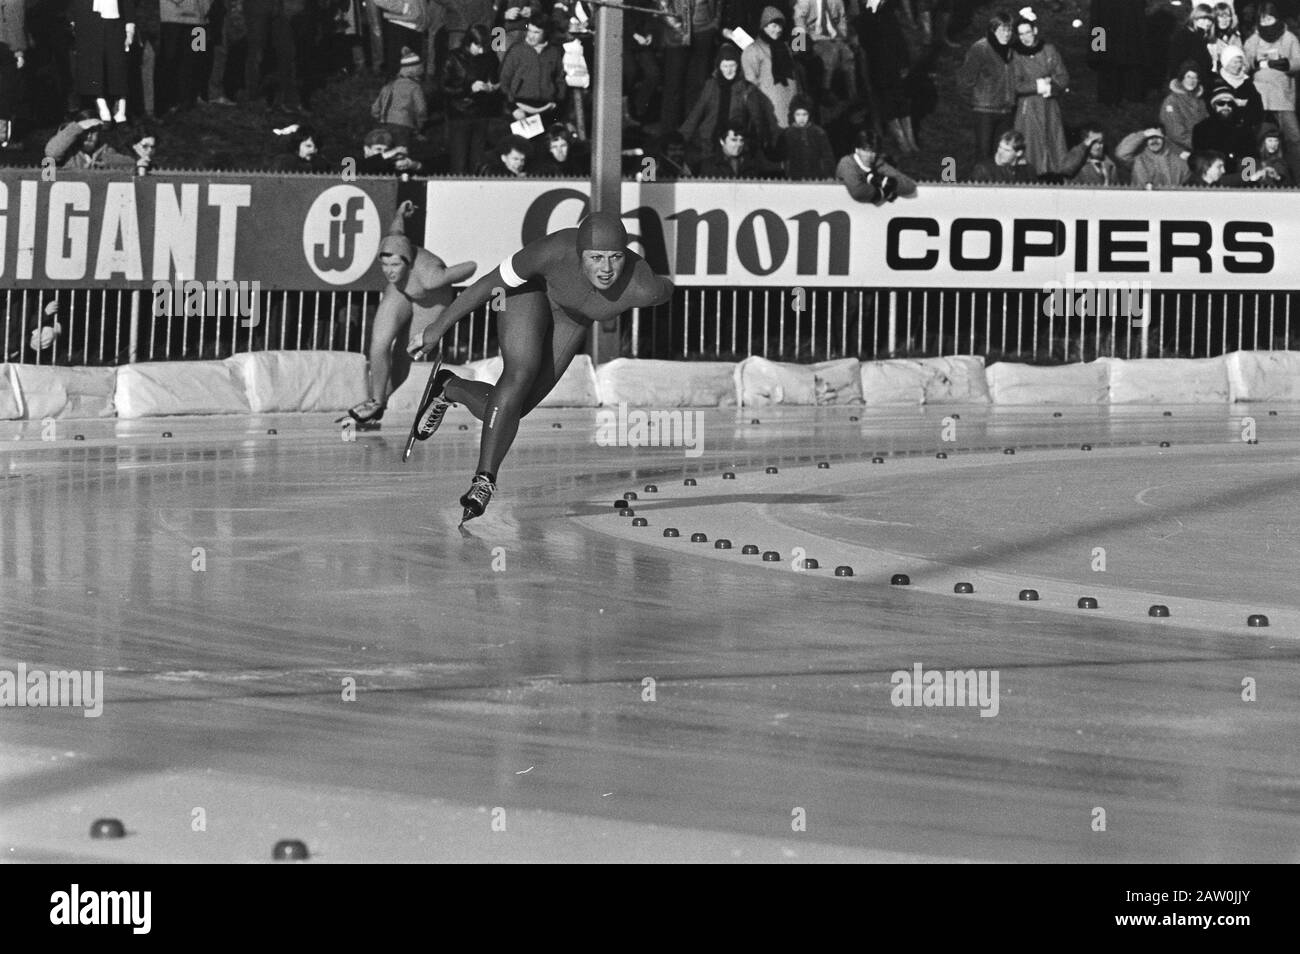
554, 289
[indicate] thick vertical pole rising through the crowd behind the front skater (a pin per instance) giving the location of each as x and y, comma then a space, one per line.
606, 149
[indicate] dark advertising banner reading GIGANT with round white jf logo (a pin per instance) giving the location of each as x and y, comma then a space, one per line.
99, 231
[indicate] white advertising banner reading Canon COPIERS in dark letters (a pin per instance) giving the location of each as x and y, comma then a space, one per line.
947, 237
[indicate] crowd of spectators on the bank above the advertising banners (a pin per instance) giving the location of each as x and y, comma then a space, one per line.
720, 89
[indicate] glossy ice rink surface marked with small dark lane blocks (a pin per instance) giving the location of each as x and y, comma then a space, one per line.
297, 641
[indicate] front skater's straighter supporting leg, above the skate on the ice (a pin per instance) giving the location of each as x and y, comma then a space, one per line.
525, 332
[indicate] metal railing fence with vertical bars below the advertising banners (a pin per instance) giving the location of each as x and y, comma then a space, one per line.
114, 327
